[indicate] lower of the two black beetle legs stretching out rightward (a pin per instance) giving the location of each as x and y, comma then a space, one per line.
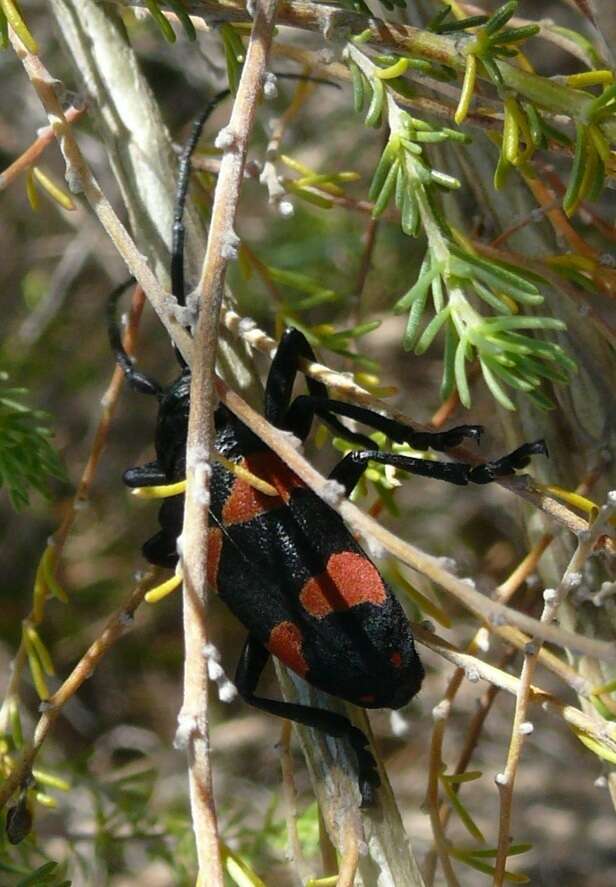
350, 469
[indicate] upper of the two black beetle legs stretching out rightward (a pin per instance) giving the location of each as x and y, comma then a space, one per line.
324, 407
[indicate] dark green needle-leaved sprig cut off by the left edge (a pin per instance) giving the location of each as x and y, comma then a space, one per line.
27, 458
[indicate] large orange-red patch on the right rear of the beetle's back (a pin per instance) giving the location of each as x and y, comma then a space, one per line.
349, 579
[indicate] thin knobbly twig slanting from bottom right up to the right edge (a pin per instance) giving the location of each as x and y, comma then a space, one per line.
552, 601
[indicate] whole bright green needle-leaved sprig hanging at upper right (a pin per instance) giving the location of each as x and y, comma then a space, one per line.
456, 278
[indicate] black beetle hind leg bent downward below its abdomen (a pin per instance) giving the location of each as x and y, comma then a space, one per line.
252, 662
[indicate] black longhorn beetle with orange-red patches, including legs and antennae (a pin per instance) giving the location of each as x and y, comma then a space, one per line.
286, 564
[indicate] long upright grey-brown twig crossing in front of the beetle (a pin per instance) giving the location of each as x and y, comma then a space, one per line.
221, 247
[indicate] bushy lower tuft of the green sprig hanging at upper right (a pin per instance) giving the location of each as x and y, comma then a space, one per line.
507, 355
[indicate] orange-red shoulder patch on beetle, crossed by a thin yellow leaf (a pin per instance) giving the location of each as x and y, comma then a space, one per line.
245, 503
